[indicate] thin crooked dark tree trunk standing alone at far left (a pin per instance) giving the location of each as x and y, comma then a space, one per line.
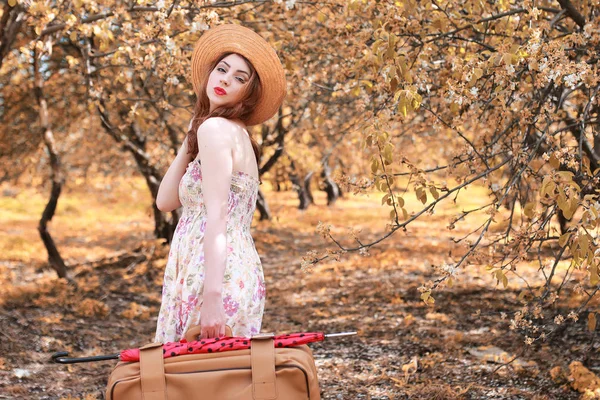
56, 176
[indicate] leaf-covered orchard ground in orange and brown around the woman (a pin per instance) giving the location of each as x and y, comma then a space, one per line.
459, 348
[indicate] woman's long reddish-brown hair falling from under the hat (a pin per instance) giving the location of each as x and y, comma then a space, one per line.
241, 110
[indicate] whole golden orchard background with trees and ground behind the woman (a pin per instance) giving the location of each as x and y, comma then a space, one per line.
431, 181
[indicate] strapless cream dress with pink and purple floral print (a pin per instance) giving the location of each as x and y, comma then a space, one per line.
243, 280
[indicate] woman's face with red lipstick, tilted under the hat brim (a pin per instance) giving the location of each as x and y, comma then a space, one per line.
227, 82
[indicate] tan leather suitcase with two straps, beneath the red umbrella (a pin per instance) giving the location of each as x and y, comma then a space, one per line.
261, 373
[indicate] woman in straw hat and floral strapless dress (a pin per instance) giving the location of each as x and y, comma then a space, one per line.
213, 275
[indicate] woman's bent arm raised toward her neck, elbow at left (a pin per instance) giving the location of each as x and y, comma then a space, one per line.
167, 198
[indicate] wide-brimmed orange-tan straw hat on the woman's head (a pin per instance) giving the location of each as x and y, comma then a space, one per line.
231, 38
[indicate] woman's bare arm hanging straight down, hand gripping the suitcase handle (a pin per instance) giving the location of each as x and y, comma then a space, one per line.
215, 144
